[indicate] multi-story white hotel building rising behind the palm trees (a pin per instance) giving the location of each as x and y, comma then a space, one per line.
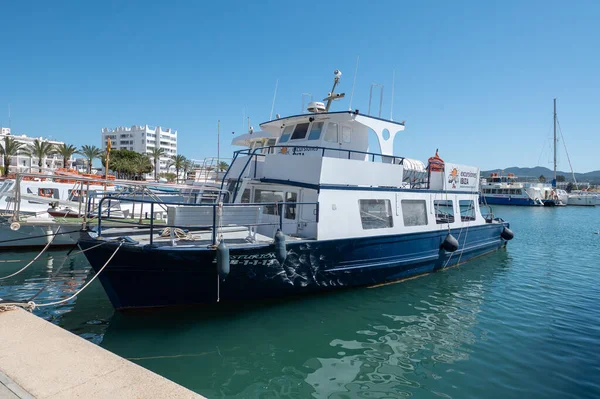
143, 139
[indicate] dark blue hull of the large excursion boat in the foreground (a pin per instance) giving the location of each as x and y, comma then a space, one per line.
168, 276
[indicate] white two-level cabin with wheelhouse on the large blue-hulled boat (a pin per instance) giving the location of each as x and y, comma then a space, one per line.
323, 157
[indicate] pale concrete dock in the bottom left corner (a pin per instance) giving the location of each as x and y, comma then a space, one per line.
41, 360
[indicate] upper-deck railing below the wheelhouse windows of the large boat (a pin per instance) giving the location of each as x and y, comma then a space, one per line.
254, 153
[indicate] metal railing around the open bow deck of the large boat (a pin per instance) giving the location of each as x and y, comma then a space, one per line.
279, 209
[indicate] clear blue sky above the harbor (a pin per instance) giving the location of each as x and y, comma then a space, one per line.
474, 78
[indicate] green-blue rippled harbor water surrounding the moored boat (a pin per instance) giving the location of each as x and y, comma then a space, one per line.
521, 322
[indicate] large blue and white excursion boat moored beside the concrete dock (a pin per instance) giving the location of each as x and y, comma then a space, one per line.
314, 212
